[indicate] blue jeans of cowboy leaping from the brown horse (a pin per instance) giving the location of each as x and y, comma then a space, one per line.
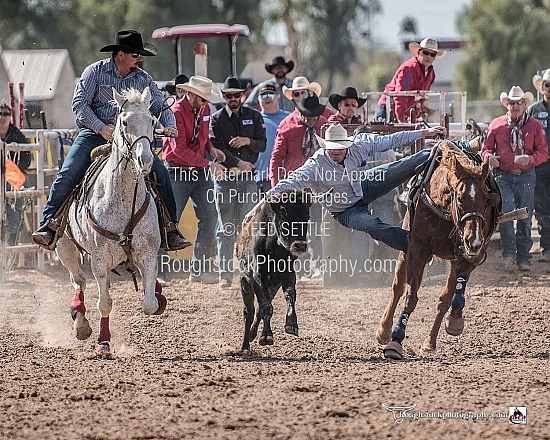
383, 179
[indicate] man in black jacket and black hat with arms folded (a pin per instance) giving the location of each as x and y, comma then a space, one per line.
239, 132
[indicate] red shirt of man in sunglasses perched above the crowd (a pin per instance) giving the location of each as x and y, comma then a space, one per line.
410, 75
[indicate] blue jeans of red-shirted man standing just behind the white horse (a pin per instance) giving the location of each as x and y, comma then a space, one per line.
197, 185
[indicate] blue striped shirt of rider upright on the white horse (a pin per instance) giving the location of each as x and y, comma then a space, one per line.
93, 102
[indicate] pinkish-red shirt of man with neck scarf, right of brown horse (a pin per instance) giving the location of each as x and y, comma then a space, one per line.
498, 142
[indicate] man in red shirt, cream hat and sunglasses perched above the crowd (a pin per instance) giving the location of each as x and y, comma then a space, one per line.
417, 73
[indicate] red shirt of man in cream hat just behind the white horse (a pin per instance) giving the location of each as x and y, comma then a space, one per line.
181, 150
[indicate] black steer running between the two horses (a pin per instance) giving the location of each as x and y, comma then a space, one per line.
269, 243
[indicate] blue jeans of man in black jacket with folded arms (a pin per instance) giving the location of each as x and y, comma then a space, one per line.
234, 198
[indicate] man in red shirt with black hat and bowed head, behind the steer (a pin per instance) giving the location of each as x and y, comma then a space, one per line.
296, 141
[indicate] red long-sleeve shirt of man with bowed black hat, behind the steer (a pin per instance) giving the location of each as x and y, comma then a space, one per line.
287, 152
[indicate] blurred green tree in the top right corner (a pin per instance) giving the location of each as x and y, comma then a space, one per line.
506, 43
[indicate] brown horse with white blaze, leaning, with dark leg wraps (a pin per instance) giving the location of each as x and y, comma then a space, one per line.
455, 214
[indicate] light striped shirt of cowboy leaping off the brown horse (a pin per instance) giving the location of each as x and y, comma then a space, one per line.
321, 174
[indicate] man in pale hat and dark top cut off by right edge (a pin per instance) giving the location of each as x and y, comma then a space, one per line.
541, 111
